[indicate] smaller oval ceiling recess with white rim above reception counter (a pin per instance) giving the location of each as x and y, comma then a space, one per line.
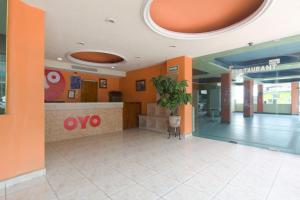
96, 58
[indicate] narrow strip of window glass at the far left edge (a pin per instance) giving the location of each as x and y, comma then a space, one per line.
3, 14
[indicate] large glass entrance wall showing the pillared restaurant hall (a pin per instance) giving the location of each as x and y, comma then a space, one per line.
249, 96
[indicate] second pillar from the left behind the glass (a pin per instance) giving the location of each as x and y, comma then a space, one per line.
248, 98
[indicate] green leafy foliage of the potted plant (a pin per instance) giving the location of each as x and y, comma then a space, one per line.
172, 93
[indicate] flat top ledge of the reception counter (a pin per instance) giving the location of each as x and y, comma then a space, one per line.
82, 106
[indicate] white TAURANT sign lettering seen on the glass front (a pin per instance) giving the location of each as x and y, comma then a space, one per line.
270, 67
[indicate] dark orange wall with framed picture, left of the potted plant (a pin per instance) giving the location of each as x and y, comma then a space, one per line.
127, 85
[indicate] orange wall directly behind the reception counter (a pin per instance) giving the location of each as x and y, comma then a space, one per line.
113, 84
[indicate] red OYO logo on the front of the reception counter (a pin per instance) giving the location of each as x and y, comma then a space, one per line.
72, 123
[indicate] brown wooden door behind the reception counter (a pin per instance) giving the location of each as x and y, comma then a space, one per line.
89, 91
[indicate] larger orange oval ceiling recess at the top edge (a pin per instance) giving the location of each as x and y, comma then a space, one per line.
199, 16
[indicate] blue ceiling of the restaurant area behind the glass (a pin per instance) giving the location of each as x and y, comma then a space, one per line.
285, 49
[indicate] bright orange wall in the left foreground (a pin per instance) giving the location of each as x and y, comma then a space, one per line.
22, 128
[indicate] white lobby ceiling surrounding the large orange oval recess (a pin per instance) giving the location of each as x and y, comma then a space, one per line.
71, 21
